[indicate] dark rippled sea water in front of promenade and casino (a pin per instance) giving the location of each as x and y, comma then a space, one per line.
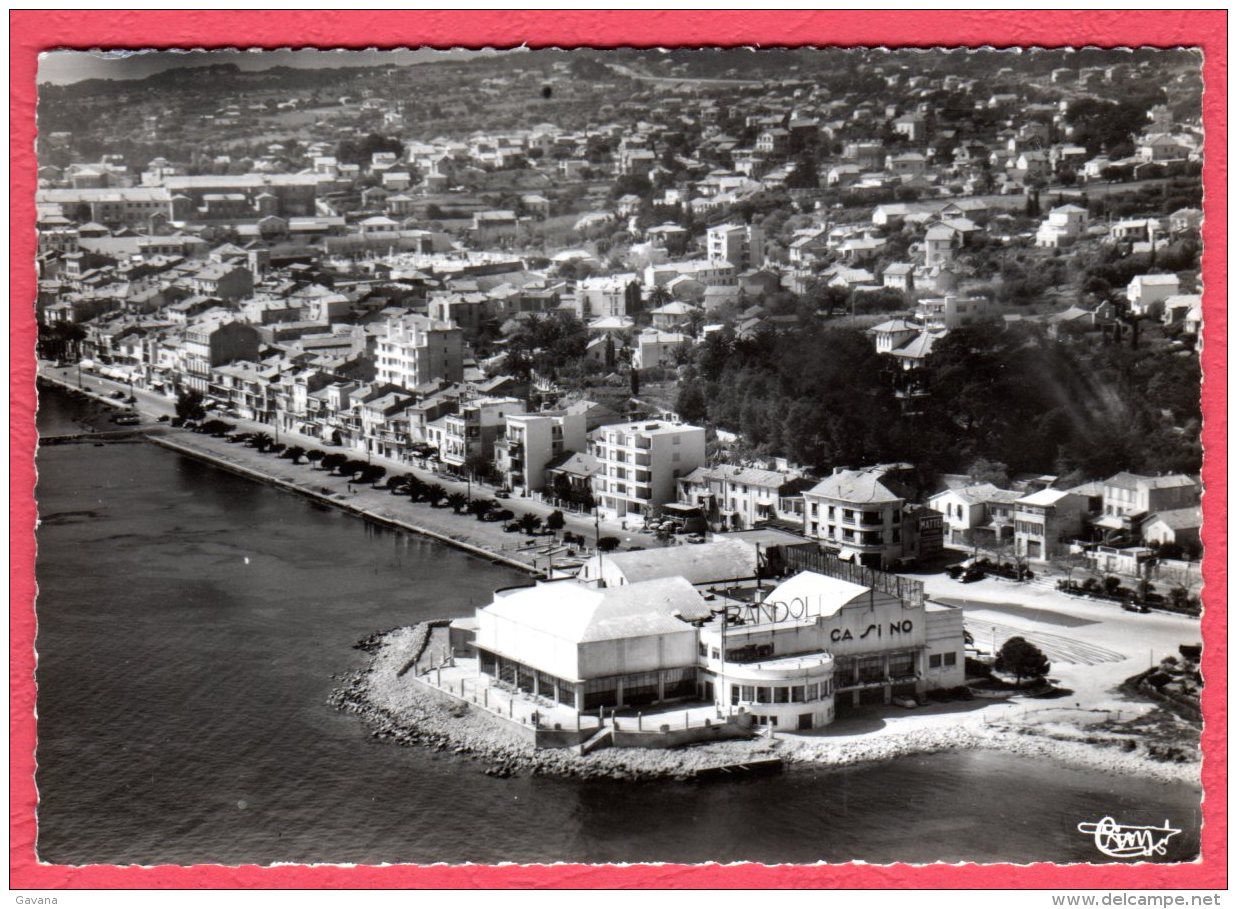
191, 621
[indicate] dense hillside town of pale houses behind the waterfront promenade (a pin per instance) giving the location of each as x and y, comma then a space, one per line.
535, 305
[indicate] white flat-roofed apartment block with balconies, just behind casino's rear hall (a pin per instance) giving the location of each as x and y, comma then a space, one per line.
641, 466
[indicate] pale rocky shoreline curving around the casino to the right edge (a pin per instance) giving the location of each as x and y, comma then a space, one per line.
408, 713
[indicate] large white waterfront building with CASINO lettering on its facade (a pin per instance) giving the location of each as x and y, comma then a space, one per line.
811, 649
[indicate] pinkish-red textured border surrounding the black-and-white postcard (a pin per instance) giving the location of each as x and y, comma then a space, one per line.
35, 32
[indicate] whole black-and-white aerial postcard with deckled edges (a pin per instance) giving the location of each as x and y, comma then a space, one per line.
620, 456
